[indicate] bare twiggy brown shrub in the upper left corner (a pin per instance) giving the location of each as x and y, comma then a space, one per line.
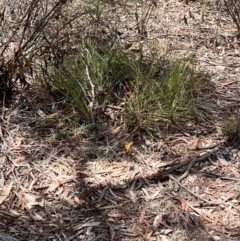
22, 26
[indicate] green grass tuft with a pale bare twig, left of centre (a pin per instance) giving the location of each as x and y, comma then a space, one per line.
77, 76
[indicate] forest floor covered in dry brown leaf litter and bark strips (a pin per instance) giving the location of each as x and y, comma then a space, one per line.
80, 183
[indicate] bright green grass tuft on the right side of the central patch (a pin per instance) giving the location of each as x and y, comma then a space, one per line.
172, 95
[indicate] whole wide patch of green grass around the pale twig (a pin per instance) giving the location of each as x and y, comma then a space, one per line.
148, 91
